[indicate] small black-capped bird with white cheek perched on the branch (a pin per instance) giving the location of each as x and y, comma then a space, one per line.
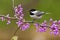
35, 14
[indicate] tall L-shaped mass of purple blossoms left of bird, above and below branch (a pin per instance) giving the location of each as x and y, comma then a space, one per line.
19, 15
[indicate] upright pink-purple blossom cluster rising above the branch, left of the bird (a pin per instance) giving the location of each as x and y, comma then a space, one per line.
19, 12
